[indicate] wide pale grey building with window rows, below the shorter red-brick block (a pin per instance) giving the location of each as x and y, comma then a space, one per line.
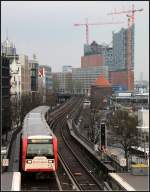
83, 78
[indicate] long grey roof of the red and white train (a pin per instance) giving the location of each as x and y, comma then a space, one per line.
35, 123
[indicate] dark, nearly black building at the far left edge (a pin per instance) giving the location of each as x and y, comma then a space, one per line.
5, 87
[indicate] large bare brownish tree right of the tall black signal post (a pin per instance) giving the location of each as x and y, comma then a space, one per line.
124, 125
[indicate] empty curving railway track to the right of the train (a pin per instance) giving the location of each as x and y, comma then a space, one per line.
74, 160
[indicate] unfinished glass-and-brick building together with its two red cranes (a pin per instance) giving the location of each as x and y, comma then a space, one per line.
117, 55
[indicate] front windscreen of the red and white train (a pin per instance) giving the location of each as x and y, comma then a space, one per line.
40, 149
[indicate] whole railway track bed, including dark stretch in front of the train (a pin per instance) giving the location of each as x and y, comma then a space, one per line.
75, 167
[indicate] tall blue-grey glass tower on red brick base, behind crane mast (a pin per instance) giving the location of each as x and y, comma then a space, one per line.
121, 71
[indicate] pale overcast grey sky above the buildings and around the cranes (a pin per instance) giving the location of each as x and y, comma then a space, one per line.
46, 29
